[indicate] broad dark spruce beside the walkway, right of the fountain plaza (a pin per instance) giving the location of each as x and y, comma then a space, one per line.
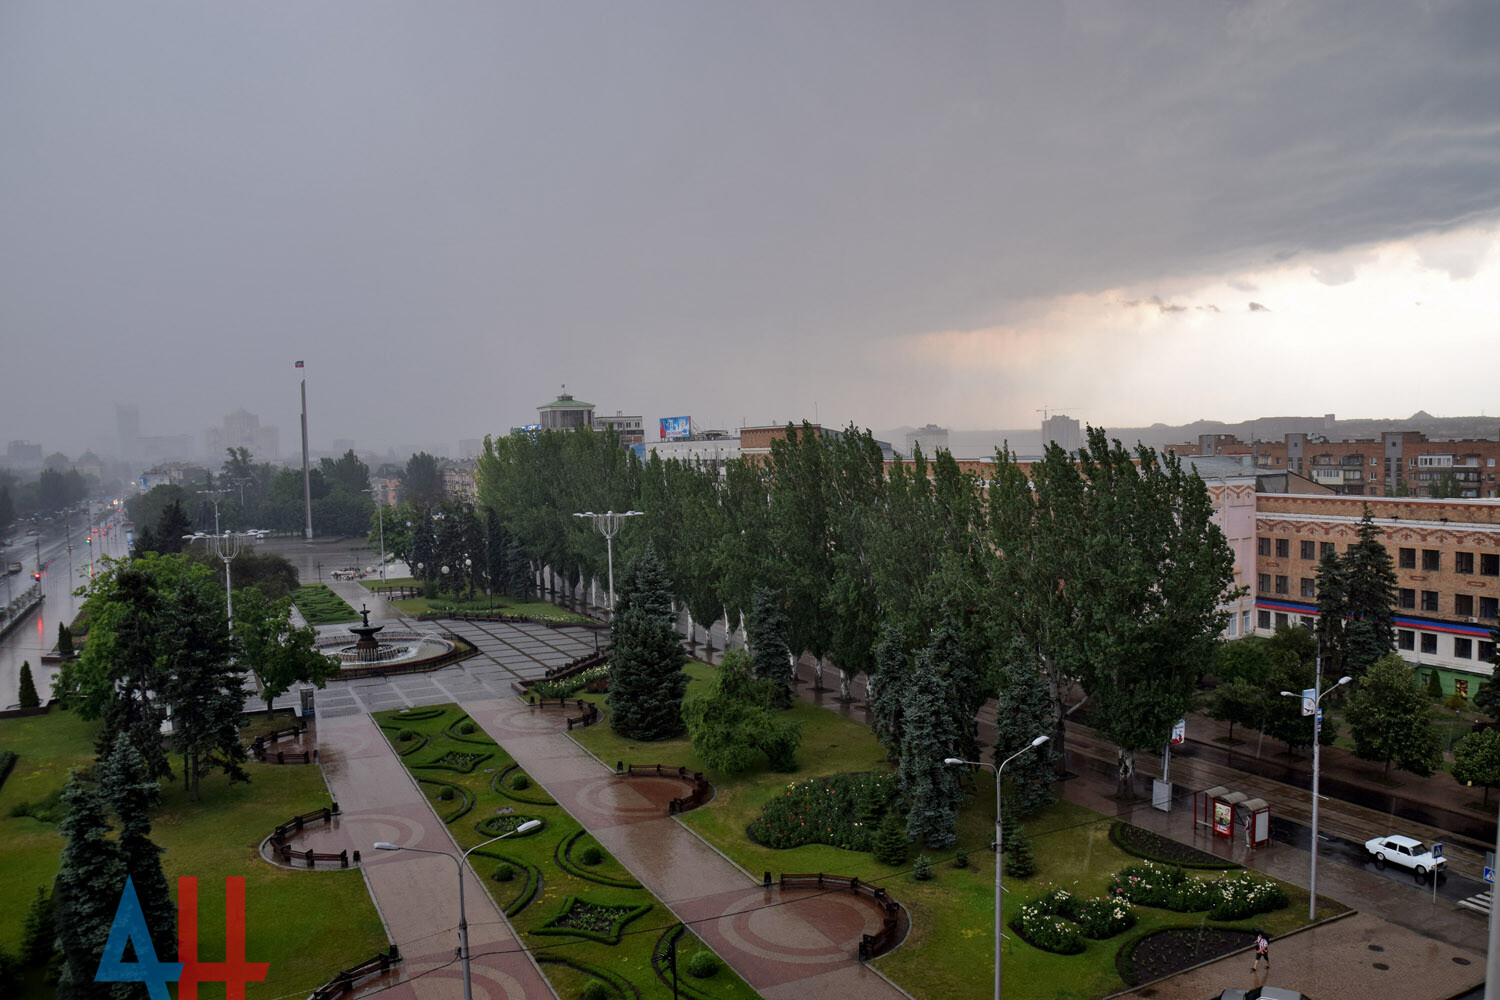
646, 660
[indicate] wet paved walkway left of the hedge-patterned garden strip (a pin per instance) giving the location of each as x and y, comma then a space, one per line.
416, 893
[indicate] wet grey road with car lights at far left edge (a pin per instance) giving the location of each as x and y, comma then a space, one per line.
62, 573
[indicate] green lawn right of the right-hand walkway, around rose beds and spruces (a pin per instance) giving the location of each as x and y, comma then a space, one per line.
949, 953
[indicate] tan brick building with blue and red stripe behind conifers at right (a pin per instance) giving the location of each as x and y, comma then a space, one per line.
1448, 572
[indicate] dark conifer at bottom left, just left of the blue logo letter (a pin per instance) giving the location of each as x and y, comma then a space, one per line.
86, 891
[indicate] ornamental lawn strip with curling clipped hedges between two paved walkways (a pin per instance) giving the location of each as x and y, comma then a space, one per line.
538, 854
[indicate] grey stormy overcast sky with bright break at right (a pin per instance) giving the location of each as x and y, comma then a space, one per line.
745, 212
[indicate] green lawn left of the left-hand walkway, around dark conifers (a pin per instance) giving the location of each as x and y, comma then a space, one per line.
289, 914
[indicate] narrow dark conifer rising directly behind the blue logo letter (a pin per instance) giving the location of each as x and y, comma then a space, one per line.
133, 795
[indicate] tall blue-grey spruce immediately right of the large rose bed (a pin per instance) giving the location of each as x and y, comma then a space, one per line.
929, 786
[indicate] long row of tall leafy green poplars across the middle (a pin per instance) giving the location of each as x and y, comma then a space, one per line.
1103, 569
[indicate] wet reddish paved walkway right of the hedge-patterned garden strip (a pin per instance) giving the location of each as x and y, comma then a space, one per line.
785, 945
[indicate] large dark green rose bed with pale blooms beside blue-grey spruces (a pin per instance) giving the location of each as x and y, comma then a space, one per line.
841, 810
